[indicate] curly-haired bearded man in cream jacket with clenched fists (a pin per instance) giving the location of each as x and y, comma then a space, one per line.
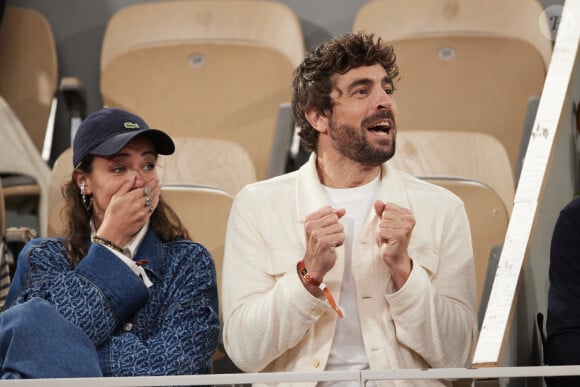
347, 235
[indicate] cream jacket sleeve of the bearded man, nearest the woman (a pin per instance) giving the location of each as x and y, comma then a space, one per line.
266, 312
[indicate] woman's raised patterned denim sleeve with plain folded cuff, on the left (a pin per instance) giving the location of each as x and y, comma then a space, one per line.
97, 296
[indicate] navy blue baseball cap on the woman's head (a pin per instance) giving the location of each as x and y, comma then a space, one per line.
107, 131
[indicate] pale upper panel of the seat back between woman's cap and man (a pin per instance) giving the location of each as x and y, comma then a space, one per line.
207, 161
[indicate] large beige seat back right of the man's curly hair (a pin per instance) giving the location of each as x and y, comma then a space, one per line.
466, 65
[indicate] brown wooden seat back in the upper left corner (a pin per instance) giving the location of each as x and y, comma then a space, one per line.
29, 75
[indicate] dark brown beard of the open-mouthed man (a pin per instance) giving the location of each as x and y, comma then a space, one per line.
349, 142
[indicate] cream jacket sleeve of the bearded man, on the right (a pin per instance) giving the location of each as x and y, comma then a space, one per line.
434, 312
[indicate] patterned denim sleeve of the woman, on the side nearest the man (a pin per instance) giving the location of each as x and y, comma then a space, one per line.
187, 332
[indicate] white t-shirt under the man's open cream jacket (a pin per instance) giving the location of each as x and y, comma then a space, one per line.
348, 351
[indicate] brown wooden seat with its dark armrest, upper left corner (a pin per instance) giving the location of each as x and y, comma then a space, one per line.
47, 106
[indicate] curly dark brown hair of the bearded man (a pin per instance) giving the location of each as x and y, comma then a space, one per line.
311, 82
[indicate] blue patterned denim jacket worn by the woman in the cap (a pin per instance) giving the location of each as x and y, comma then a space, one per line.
169, 329
